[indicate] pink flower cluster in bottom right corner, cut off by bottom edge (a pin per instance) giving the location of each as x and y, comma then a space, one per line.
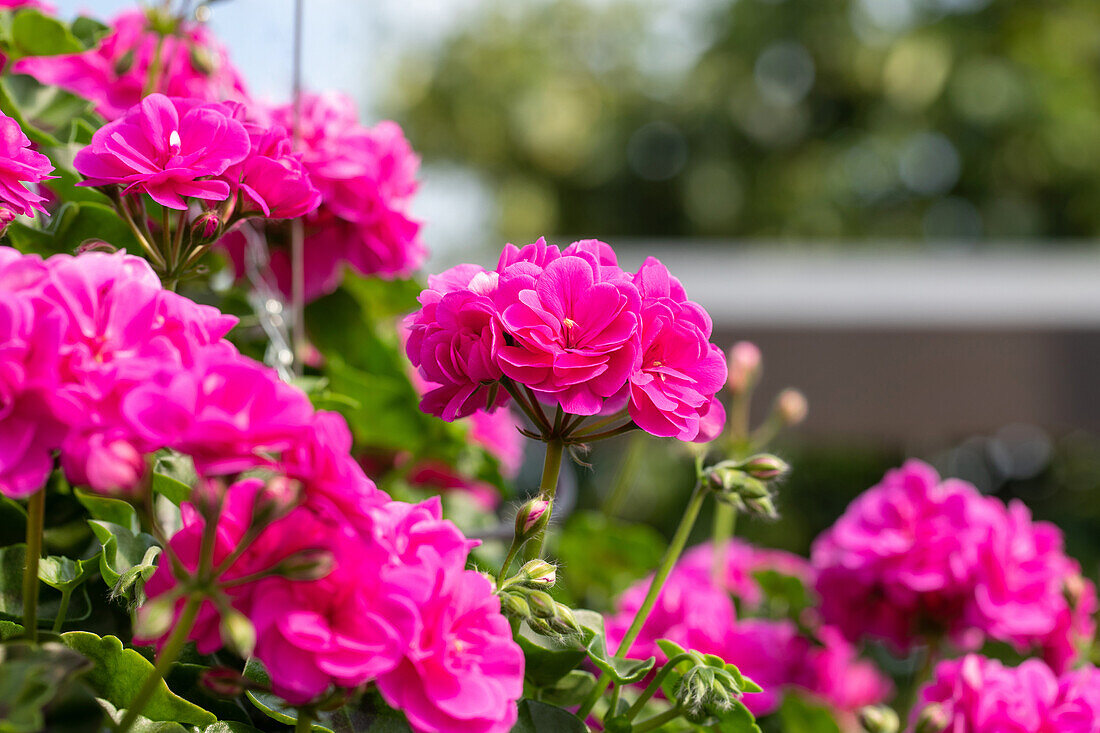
983, 696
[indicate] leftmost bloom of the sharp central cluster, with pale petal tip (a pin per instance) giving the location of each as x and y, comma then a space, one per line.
454, 341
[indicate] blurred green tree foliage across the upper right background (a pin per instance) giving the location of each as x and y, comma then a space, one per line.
772, 118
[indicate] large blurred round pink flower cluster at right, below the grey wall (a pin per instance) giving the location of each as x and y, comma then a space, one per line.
917, 556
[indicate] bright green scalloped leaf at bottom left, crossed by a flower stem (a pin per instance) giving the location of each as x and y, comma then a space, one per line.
119, 674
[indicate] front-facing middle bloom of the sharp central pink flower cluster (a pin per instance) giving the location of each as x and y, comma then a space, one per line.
574, 330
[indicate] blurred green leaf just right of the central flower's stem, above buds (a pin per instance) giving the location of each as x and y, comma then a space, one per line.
604, 557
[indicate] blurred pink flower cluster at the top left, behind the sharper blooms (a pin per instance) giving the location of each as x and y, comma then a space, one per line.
144, 52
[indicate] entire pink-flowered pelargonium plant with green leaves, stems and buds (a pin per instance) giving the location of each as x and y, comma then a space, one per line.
211, 523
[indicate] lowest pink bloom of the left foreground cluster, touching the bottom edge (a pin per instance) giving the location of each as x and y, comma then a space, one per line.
463, 673
